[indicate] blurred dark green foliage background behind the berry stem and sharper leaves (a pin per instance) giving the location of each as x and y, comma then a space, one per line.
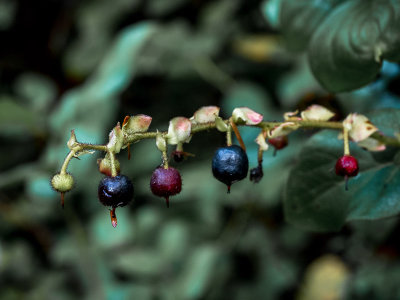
85, 65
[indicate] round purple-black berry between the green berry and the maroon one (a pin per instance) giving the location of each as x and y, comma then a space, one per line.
115, 191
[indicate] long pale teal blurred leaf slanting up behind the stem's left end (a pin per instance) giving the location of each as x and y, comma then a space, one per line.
98, 94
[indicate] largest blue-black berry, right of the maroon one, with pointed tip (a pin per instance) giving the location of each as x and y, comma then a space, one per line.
230, 164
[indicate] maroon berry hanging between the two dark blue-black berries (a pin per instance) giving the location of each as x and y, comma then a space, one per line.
166, 182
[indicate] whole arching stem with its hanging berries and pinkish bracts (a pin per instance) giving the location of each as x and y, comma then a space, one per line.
229, 163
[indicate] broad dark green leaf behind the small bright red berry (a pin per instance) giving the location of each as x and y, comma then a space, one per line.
315, 198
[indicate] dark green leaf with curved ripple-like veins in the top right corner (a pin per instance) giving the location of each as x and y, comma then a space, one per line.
347, 50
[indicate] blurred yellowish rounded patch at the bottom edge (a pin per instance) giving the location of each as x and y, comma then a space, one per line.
325, 279
